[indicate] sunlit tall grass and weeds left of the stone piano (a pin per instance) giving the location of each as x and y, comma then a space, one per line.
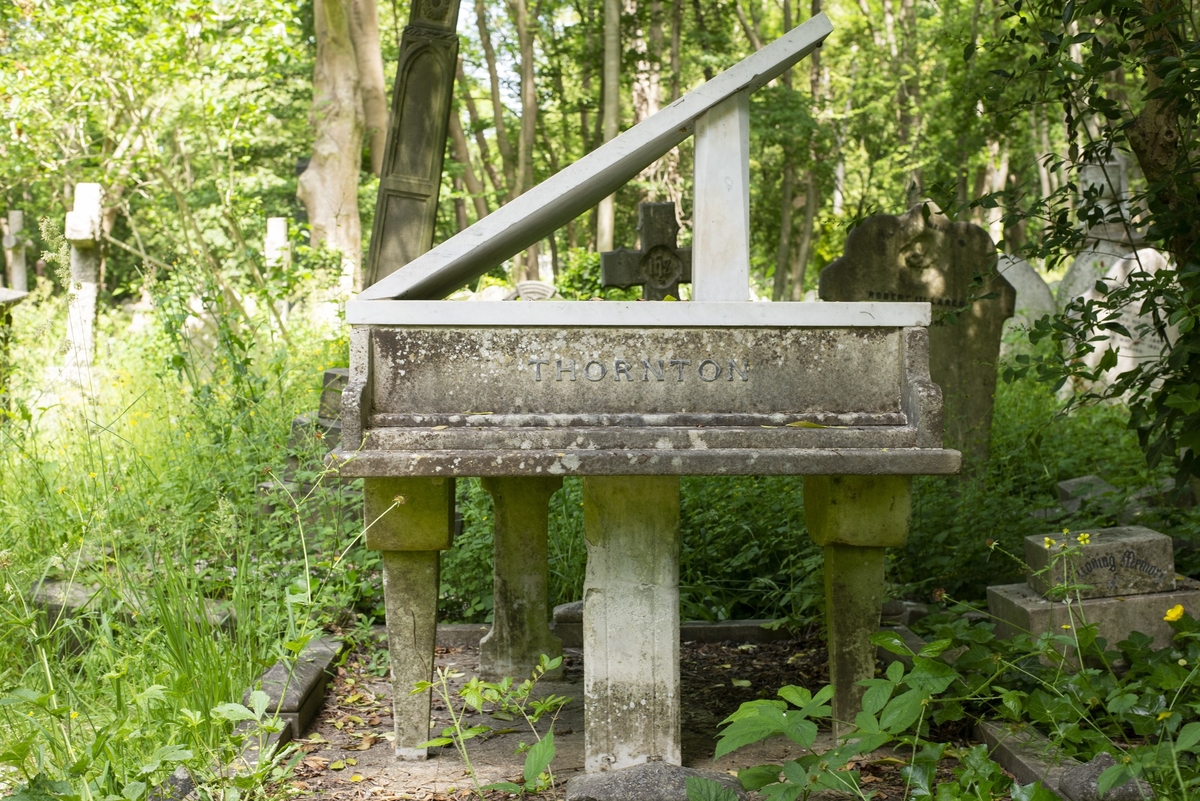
137, 493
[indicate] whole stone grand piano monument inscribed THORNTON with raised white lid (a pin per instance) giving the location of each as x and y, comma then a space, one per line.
631, 396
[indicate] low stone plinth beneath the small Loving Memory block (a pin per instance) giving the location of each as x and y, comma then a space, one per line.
1019, 610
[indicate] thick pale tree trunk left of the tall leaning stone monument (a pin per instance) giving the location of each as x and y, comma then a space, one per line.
329, 188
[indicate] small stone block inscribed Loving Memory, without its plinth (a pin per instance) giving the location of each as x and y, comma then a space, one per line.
1121, 562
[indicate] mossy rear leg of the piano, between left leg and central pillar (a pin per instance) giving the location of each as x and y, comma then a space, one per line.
521, 621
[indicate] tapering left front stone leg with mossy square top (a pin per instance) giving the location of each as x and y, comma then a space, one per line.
410, 521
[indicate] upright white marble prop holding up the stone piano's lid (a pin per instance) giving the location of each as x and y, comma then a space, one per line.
721, 244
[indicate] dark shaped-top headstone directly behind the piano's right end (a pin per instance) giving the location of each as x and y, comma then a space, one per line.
927, 258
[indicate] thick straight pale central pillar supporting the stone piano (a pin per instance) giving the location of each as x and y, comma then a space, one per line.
632, 622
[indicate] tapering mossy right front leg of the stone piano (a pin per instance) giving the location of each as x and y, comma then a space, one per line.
855, 519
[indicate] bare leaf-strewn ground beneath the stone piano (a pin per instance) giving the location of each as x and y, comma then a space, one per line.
350, 755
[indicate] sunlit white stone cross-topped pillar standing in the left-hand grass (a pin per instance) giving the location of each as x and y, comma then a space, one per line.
83, 233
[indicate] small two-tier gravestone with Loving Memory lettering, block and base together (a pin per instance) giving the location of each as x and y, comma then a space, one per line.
1127, 585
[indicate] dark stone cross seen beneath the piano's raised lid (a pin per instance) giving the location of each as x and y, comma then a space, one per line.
661, 266
